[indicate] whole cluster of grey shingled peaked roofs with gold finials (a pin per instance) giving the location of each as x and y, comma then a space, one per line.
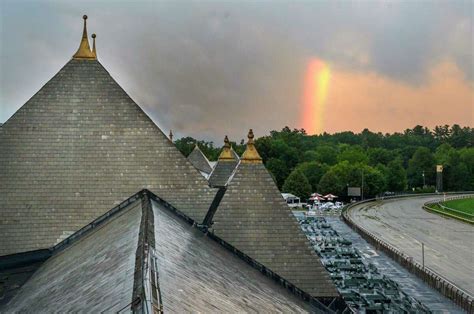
80, 146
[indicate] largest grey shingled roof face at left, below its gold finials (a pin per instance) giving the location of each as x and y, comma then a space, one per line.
75, 148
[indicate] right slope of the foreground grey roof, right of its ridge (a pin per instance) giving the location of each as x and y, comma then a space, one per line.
196, 274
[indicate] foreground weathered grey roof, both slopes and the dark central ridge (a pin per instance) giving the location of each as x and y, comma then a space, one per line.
106, 268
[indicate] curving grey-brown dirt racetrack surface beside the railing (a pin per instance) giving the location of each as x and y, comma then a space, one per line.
403, 223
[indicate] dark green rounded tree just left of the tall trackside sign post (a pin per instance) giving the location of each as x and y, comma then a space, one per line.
421, 164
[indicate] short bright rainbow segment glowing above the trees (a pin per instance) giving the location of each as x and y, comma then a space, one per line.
316, 86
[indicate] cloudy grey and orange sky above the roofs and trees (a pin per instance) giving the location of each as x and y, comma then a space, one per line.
209, 68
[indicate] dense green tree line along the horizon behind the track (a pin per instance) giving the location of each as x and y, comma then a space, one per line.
330, 163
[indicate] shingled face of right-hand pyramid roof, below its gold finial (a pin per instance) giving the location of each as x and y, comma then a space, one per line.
254, 218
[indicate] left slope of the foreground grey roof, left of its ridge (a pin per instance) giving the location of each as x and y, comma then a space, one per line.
93, 274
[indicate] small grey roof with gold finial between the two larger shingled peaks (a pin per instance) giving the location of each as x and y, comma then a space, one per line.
225, 166
